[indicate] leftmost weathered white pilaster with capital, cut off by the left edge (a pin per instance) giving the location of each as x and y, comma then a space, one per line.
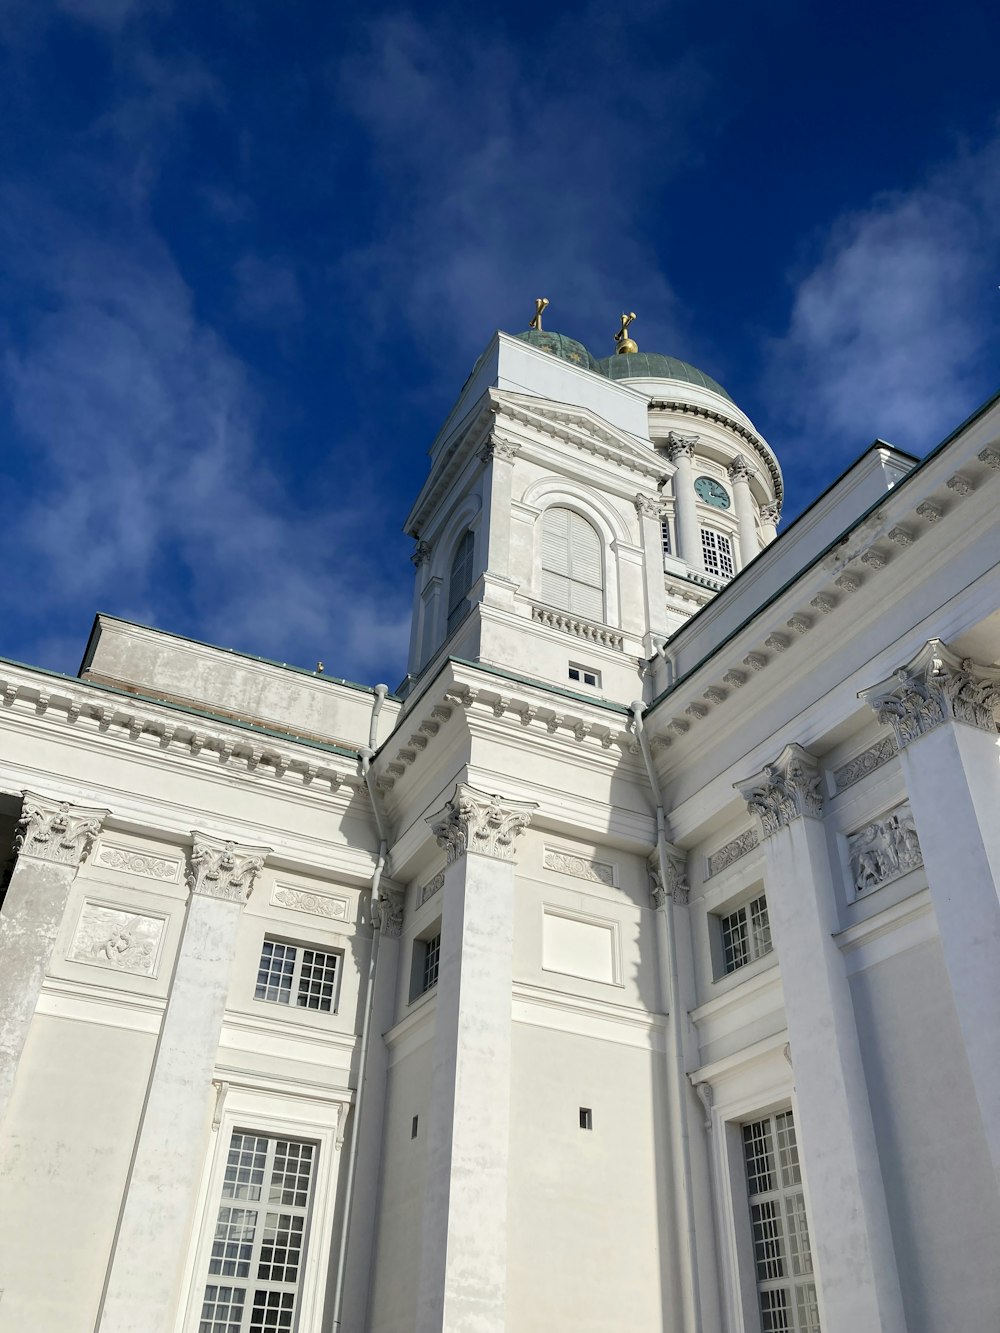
53, 843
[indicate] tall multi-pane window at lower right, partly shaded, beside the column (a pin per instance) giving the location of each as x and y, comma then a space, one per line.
782, 1254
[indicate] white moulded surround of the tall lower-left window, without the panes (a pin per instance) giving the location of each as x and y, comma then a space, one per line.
273, 1116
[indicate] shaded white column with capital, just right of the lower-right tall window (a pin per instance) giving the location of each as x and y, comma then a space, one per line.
858, 1280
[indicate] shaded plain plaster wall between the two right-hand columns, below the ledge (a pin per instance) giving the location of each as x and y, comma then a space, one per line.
938, 1174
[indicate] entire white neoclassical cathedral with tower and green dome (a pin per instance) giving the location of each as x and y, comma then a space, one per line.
506, 1002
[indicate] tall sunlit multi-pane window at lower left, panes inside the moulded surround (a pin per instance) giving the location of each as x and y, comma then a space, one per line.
261, 1236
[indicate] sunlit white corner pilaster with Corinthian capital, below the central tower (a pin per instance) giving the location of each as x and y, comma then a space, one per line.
463, 1262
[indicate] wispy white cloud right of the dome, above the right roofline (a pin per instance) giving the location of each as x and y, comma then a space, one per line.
890, 333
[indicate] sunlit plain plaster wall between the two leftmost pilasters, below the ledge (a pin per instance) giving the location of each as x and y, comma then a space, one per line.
65, 1158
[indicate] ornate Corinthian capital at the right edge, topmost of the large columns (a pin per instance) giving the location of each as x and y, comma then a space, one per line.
937, 687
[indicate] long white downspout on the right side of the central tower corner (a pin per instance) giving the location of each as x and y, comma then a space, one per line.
679, 1083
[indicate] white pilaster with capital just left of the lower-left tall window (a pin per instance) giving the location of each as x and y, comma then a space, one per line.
151, 1246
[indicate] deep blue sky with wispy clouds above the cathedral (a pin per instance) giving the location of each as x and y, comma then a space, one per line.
250, 251
